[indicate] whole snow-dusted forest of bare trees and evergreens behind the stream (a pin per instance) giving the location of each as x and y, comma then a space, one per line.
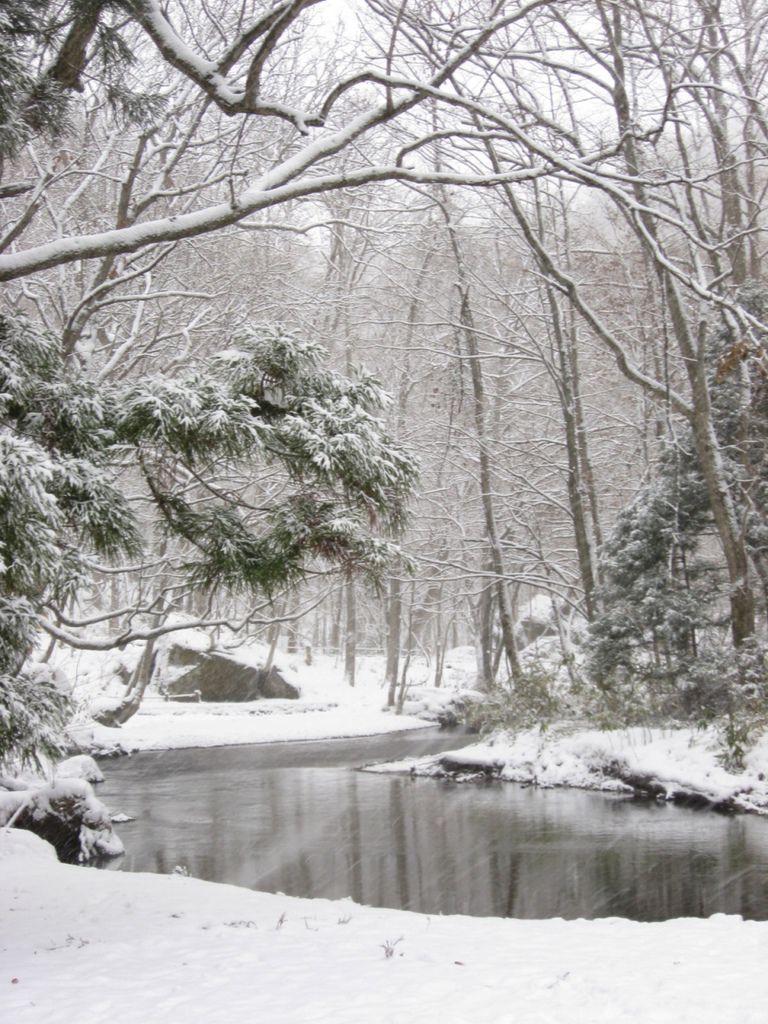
539, 225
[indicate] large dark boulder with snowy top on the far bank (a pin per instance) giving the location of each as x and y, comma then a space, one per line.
216, 676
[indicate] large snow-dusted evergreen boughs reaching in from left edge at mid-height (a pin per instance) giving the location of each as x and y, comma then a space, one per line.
267, 401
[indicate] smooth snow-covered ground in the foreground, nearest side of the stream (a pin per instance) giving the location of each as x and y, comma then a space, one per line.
102, 947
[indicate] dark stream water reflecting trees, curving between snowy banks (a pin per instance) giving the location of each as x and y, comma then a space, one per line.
297, 819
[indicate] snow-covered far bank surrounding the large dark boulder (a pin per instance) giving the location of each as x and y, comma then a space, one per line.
328, 707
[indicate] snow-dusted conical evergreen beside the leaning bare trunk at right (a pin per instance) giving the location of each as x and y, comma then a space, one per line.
661, 645
